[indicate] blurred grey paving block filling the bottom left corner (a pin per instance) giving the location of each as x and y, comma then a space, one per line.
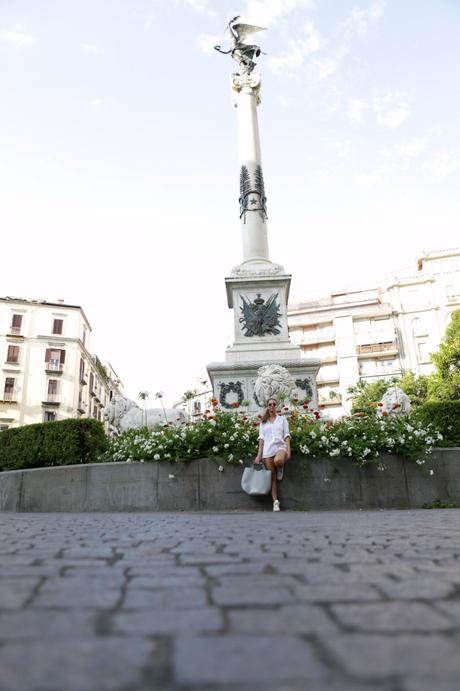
94, 664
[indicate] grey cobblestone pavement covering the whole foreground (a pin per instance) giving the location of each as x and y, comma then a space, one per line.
338, 601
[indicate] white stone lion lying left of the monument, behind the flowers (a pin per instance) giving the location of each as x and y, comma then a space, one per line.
124, 414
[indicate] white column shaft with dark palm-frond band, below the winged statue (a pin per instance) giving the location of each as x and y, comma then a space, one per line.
253, 211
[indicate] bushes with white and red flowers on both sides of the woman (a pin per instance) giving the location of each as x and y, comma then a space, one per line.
233, 437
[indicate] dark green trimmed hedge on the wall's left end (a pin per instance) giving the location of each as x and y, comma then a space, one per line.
66, 442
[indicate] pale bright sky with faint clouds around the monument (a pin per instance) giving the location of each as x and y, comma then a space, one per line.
119, 171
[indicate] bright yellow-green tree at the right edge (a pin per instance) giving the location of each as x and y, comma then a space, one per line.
445, 383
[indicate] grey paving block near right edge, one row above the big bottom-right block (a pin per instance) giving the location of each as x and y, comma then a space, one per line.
391, 617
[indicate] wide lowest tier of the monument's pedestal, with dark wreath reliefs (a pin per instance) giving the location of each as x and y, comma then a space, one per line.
234, 382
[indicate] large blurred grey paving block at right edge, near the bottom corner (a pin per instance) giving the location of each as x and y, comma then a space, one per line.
378, 656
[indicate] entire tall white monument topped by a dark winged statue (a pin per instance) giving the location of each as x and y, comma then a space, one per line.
257, 289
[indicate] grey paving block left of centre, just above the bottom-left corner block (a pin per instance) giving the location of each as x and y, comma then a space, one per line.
168, 621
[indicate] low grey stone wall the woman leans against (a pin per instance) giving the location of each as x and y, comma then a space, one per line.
199, 486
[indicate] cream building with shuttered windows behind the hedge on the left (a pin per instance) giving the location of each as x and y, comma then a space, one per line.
48, 372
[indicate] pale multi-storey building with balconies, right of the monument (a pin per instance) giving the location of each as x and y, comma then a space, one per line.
376, 332
